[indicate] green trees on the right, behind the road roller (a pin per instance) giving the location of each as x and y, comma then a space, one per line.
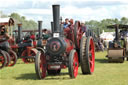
102, 25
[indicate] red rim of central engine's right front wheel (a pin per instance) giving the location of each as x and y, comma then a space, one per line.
75, 64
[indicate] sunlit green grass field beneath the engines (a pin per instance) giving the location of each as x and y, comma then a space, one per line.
105, 74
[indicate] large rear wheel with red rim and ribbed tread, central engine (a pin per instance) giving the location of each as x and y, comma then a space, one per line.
87, 55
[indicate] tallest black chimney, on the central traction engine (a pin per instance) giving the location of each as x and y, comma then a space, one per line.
56, 16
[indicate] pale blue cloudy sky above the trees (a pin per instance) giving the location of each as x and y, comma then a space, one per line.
83, 10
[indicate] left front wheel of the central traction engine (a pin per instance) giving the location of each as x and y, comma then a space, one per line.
40, 65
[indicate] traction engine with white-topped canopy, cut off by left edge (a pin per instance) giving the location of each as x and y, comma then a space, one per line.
7, 56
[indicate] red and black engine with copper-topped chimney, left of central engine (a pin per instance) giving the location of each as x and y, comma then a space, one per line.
25, 47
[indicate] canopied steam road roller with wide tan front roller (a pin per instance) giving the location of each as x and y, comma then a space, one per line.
118, 49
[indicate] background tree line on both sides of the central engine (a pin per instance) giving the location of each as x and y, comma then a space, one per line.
92, 24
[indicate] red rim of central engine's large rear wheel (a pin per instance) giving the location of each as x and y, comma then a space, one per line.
91, 56
